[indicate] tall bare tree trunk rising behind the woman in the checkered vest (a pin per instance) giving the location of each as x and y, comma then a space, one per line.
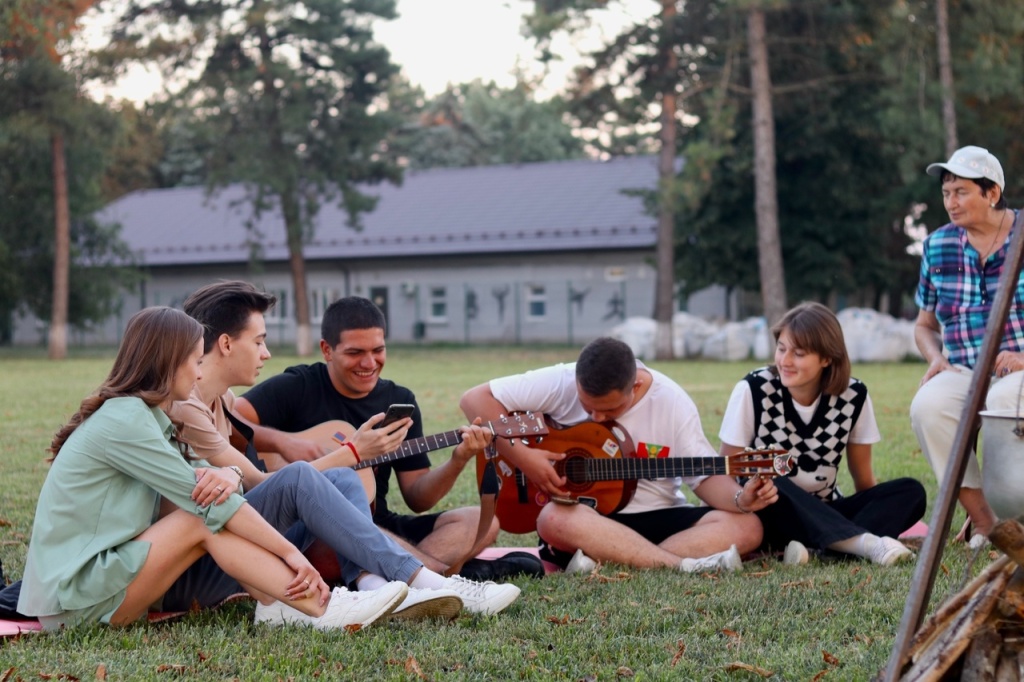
765, 193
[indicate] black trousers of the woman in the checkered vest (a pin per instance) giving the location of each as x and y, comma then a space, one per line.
887, 509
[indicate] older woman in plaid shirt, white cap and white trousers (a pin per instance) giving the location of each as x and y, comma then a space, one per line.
960, 272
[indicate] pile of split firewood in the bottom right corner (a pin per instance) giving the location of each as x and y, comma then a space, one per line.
978, 634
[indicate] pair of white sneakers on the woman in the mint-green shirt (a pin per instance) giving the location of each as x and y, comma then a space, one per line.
348, 611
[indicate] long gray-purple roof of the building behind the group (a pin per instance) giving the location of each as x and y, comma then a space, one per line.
558, 206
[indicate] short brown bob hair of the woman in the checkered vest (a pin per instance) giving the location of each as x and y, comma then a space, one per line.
816, 329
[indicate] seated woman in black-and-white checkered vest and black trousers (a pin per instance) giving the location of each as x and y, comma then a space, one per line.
808, 404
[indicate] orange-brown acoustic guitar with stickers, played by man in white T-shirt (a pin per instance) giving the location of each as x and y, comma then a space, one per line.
602, 471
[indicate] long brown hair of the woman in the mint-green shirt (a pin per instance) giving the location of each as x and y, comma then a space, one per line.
156, 344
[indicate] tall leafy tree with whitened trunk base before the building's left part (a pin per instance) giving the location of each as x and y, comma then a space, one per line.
288, 95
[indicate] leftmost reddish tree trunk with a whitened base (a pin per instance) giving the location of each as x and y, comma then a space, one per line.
62, 252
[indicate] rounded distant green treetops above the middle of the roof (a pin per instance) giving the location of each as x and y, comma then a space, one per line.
478, 124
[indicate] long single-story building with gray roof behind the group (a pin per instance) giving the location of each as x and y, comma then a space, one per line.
554, 252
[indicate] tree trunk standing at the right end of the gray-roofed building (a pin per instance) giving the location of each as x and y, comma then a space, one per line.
666, 284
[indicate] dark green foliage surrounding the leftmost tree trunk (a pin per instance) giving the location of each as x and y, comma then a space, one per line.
37, 98
